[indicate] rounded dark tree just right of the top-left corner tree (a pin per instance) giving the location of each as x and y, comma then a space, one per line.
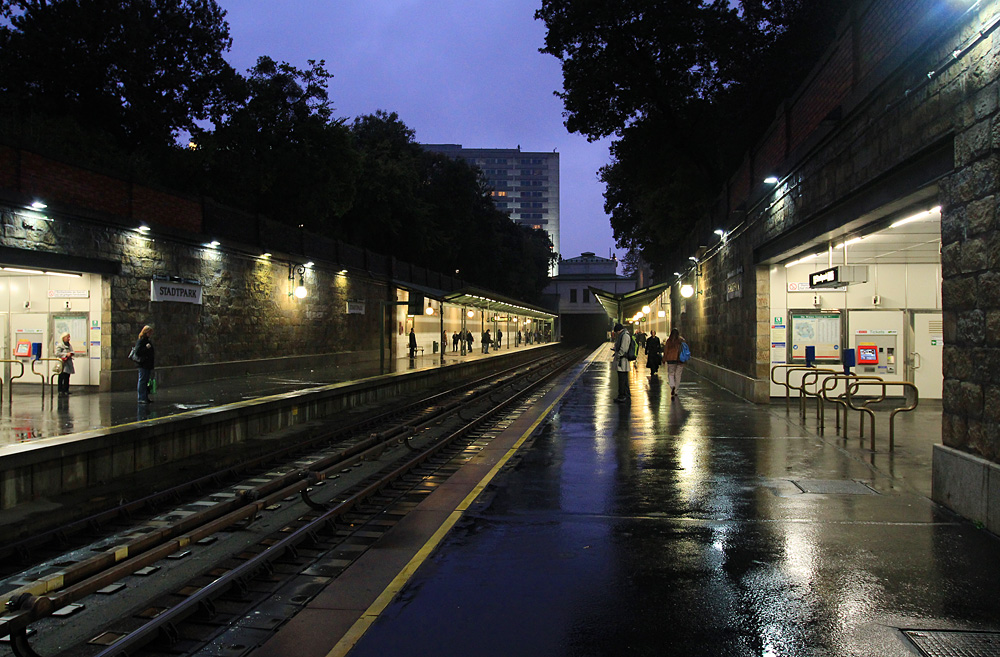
278, 151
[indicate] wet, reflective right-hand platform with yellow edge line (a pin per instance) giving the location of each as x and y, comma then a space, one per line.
701, 525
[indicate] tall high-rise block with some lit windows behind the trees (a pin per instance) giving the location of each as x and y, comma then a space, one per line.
525, 185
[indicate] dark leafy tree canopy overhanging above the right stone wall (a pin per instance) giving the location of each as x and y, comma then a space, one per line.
684, 86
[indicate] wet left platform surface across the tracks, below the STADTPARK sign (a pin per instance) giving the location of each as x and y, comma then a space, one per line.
29, 416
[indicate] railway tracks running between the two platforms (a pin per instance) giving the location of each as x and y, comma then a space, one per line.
250, 554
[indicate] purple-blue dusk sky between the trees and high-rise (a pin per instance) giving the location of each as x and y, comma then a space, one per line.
456, 71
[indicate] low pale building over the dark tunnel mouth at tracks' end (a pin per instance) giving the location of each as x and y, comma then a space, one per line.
583, 319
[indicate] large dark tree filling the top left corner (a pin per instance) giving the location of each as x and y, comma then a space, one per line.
137, 71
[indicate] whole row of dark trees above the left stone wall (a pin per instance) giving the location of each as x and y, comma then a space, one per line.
114, 84
